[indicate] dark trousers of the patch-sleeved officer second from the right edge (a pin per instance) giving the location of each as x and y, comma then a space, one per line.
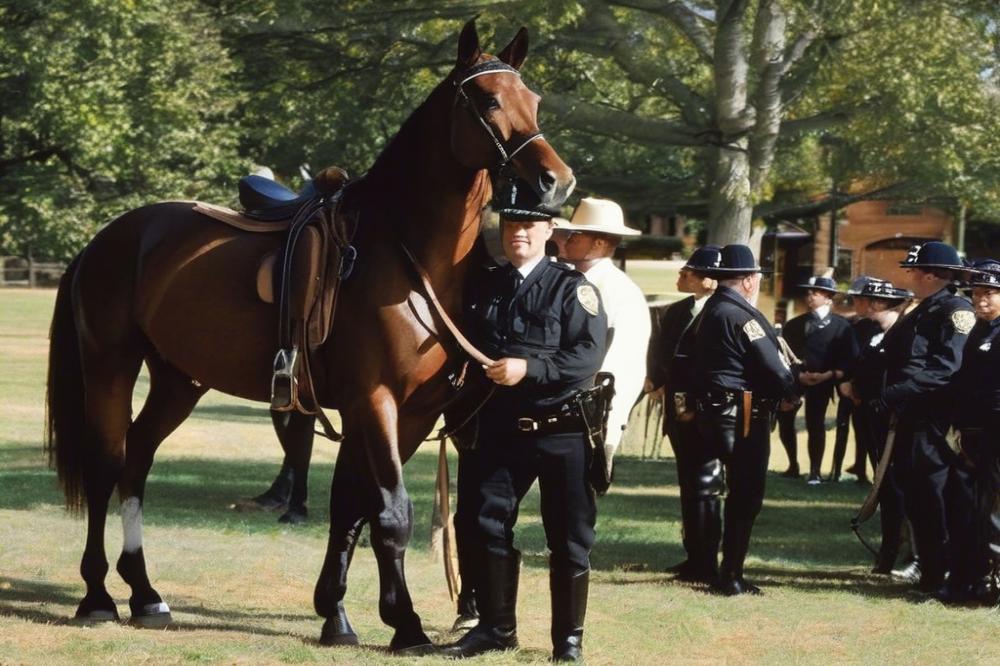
938, 496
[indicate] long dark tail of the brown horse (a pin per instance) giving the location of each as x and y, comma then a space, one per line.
65, 427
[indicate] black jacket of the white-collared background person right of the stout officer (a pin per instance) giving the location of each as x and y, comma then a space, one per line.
822, 344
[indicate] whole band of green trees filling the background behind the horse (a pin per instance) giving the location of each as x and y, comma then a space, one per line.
724, 110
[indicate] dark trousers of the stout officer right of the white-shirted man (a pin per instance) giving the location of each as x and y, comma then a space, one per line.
745, 464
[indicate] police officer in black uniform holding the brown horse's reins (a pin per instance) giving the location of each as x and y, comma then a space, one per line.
545, 326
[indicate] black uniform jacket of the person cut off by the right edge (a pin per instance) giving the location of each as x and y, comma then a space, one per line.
976, 389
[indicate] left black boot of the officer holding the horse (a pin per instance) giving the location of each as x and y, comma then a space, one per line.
496, 597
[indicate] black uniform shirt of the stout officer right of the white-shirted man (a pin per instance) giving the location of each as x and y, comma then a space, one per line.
736, 349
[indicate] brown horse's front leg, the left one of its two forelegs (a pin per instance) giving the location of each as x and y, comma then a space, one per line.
348, 493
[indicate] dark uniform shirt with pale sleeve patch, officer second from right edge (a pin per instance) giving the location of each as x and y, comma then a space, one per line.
924, 351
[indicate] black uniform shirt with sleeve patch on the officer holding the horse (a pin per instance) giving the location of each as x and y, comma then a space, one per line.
554, 320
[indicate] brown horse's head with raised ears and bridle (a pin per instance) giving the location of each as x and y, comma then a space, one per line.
495, 119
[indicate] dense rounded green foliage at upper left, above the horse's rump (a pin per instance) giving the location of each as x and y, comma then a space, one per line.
108, 105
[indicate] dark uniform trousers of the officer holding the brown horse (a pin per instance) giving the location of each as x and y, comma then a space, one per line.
495, 480
